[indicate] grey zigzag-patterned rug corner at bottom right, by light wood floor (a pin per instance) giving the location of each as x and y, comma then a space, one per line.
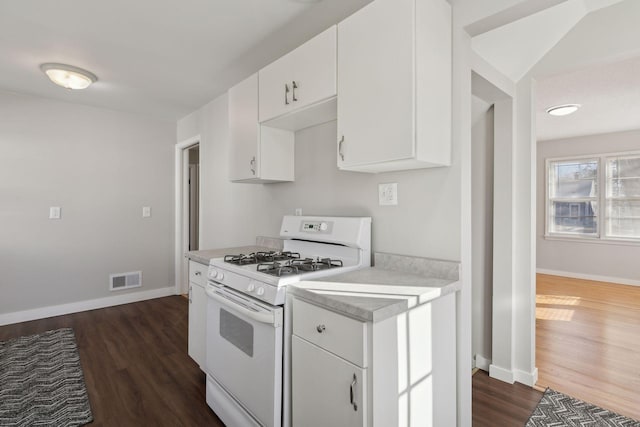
559, 410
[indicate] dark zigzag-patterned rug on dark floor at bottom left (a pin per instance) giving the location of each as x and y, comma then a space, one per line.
41, 381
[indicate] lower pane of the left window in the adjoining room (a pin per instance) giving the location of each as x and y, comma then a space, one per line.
574, 217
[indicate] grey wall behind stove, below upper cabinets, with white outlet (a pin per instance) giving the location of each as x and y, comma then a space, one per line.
425, 222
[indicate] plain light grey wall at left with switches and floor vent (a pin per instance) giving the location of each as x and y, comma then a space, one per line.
101, 167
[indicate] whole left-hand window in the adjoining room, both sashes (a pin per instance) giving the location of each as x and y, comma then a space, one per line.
573, 197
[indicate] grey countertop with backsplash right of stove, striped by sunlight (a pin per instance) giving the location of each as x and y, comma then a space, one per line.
377, 293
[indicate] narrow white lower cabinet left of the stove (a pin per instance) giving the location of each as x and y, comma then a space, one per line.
197, 312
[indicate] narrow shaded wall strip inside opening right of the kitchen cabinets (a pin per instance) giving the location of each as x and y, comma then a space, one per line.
482, 229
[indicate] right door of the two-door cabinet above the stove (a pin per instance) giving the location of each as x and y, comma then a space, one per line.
314, 69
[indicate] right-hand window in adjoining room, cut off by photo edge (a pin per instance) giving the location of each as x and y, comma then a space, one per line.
623, 197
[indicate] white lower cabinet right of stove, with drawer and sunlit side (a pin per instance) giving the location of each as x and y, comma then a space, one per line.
398, 371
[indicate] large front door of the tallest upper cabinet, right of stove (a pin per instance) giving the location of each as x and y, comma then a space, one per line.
376, 83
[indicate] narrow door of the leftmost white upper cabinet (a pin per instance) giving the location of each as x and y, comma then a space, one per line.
243, 130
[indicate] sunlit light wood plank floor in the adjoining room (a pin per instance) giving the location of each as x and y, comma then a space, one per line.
588, 341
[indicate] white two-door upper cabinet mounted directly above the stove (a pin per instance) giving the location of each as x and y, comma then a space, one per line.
303, 78
